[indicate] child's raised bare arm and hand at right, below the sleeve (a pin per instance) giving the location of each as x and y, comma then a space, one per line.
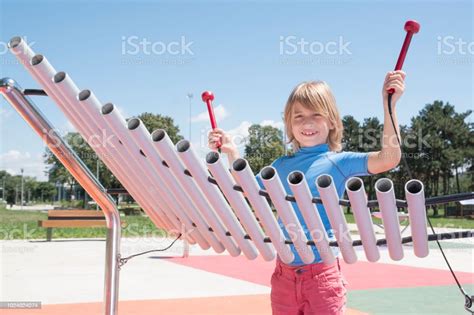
390, 155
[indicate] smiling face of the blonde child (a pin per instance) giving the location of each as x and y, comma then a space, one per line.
309, 127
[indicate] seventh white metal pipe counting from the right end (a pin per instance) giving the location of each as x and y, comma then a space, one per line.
245, 178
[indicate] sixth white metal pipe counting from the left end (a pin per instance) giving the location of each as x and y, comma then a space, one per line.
170, 187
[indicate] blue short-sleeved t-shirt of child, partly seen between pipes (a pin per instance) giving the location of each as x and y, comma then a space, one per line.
314, 161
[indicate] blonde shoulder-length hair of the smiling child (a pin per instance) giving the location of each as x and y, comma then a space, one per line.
317, 96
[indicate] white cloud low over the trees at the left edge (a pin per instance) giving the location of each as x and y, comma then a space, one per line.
13, 161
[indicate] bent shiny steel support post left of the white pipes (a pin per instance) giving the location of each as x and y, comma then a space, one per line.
30, 113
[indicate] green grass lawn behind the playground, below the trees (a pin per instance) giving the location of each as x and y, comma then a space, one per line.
19, 224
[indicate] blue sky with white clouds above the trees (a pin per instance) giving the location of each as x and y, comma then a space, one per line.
246, 52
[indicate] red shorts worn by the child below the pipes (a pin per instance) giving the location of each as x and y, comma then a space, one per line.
309, 289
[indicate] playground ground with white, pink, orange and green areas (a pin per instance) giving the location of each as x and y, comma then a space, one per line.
66, 276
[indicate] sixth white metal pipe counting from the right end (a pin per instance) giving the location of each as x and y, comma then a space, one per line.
285, 210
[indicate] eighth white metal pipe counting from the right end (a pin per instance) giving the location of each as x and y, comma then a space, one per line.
238, 203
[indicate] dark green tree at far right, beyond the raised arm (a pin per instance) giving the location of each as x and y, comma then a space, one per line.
447, 144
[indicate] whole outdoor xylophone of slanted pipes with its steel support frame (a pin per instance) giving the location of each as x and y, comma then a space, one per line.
204, 201
